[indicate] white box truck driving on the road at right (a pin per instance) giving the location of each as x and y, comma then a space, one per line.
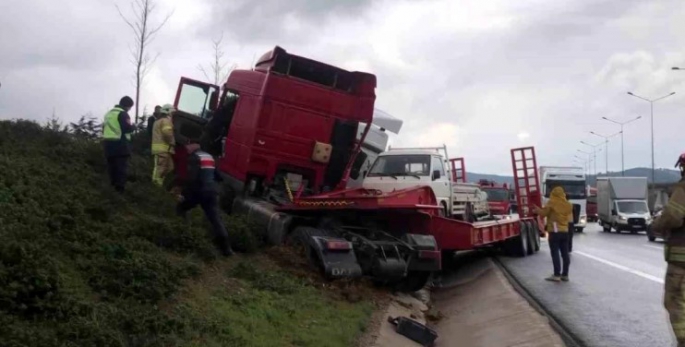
622, 204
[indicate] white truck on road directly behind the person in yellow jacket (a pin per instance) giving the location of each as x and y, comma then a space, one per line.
572, 180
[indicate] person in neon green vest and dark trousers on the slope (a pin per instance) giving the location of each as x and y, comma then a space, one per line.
116, 136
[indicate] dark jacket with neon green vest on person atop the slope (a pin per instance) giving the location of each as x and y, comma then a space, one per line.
116, 132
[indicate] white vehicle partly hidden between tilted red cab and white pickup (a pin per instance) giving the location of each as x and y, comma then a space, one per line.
376, 141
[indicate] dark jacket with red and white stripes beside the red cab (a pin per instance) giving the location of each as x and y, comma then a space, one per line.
202, 174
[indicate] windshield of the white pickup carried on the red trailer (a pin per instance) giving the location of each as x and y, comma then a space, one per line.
401, 165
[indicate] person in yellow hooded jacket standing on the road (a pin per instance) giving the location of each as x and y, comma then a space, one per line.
558, 213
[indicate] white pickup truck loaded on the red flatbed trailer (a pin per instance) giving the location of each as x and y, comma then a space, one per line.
398, 169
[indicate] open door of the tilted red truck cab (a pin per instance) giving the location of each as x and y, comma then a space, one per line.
196, 103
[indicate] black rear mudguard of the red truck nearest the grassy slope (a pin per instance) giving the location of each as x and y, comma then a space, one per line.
336, 257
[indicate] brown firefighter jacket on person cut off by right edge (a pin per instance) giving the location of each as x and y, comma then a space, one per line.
670, 224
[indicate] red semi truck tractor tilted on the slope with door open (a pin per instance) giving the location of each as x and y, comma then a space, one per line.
287, 130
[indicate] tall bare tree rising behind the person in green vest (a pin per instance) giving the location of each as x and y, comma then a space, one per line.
144, 31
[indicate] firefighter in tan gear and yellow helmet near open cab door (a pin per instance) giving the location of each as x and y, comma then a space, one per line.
162, 146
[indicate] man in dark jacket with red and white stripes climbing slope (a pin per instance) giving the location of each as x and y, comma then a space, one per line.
200, 188
